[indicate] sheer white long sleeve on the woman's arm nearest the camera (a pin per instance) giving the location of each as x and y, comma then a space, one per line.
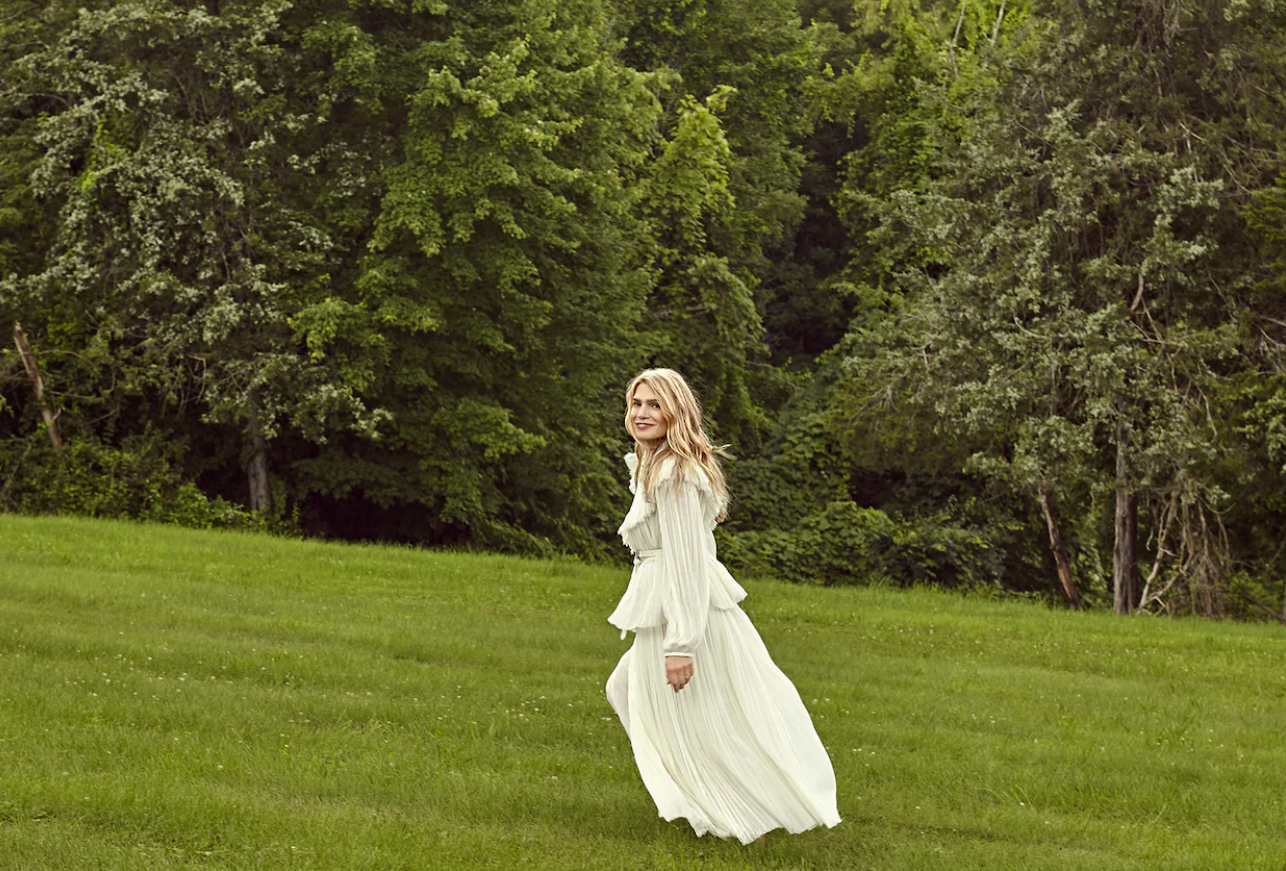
686, 601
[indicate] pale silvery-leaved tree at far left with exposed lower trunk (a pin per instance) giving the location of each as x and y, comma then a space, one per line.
185, 250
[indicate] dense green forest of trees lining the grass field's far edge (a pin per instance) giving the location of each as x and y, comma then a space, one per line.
986, 295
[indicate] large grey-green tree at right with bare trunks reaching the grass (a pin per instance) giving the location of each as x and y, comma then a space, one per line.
1085, 273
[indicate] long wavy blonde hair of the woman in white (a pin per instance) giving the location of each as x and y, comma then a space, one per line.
685, 439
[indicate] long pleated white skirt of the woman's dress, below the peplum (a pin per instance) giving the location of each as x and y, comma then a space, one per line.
735, 752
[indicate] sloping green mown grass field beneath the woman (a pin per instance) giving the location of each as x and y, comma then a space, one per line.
209, 701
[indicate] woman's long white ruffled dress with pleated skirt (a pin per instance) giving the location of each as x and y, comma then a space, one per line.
735, 752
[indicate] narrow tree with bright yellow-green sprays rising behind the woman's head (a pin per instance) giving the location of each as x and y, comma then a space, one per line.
731, 77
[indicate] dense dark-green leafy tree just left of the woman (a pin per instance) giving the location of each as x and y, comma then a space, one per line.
496, 151
